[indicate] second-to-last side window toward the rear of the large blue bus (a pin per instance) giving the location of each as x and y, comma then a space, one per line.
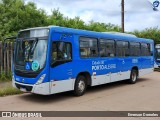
135, 49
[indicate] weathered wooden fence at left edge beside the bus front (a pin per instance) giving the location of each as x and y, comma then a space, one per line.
6, 57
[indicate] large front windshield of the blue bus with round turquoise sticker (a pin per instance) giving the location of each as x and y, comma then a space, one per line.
31, 54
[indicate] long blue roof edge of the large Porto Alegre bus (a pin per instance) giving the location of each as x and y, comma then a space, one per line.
109, 35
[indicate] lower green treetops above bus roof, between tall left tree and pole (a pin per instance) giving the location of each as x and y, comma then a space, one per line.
57, 18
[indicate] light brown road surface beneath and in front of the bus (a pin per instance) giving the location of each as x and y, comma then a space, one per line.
119, 96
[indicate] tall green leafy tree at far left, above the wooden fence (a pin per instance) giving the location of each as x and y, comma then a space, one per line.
16, 15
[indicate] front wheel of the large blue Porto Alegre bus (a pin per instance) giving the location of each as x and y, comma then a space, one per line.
80, 86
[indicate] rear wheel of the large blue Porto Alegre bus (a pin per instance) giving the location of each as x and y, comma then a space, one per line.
133, 76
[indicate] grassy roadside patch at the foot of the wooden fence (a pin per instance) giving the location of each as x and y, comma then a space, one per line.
7, 89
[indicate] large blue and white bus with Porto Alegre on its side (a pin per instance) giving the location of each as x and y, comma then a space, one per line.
49, 60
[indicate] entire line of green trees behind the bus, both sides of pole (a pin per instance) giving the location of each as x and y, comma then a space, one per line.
16, 15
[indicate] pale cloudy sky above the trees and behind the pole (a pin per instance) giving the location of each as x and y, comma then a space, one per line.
139, 14
